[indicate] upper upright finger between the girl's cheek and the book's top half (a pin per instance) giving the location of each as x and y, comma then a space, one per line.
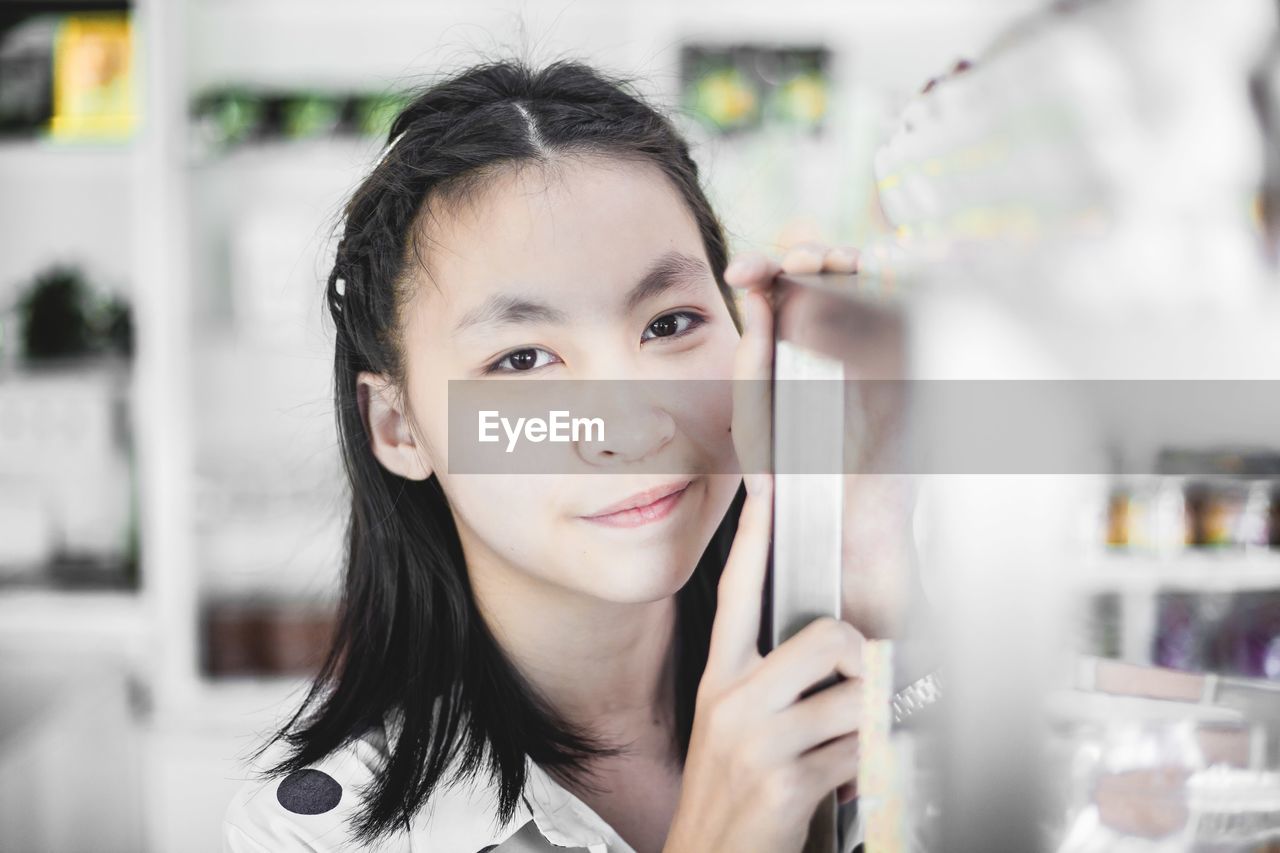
753, 371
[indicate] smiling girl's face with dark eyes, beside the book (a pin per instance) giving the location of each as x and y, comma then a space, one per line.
550, 275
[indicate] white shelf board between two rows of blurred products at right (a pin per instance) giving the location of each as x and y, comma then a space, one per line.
1226, 572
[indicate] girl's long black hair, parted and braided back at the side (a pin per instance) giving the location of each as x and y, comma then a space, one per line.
410, 640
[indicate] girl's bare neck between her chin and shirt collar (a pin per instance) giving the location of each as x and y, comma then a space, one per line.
605, 667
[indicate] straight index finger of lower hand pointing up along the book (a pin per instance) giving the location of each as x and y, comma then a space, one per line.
740, 591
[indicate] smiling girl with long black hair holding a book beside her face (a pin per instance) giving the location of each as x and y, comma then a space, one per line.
540, 663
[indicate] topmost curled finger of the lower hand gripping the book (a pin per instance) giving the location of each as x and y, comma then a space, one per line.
819, 650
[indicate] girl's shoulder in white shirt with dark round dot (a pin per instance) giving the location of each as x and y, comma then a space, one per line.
316, 809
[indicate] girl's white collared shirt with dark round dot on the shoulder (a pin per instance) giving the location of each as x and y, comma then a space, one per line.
313, 810
